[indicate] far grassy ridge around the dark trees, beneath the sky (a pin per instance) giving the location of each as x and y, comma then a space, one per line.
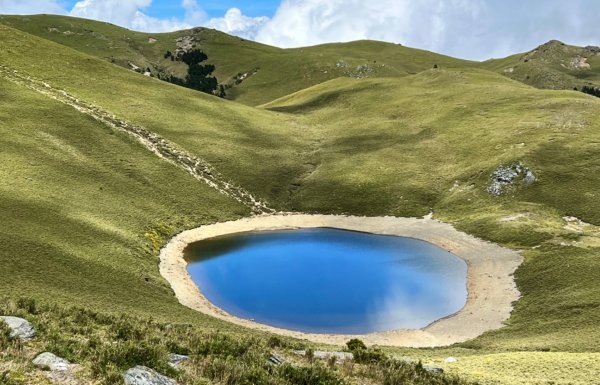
265, 73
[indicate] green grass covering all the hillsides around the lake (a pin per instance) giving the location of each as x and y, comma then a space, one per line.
85, 209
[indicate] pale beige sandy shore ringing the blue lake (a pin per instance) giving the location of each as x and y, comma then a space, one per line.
491, 289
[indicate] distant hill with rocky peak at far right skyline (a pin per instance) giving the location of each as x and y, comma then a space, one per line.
553, 65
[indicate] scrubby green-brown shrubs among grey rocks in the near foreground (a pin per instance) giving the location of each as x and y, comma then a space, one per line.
106, 345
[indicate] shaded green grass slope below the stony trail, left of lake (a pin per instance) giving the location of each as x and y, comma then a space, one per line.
77, 201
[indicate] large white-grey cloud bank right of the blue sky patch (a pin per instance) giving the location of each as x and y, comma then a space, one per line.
474, 29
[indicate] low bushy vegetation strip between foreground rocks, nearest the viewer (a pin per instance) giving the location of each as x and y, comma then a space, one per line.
105, 346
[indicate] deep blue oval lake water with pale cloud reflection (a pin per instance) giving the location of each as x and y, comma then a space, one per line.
329, 281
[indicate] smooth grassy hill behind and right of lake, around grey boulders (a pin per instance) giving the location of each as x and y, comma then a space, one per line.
429, 142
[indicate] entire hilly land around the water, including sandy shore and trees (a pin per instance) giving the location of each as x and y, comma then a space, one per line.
117, 146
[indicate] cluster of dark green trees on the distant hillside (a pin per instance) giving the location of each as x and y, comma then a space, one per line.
199, 76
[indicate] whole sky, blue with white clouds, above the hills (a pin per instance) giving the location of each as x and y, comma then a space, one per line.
469, 29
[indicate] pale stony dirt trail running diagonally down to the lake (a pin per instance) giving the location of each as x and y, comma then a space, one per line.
197, 167
